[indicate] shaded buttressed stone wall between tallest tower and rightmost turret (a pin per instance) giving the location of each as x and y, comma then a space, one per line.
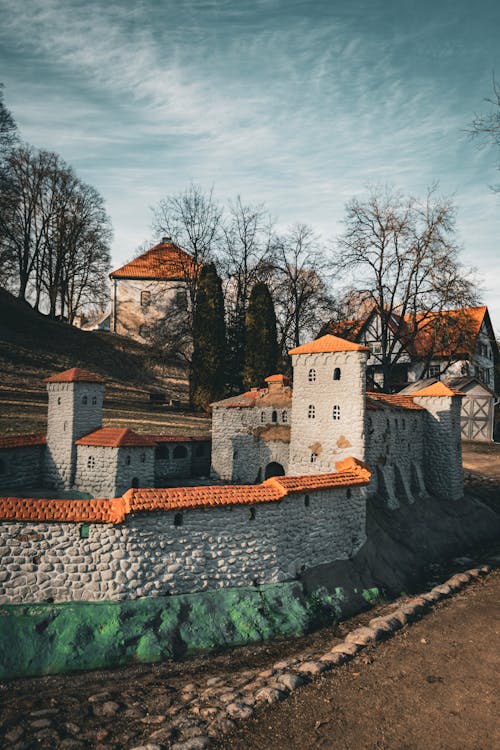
395, 454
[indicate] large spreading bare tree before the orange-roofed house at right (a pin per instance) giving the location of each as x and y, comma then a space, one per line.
403, 255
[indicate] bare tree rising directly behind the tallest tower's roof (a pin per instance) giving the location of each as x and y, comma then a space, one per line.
300, 289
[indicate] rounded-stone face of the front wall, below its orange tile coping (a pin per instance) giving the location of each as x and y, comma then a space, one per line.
154, 554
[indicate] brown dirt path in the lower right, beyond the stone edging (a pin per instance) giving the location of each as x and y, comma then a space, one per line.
433, 685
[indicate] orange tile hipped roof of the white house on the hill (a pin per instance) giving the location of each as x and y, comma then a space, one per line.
164, 261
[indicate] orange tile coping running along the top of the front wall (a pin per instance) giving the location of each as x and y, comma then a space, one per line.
351, 473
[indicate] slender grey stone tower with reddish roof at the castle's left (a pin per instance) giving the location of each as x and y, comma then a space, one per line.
75, 409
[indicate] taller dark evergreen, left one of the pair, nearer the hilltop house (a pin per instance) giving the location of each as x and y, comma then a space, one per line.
209, 334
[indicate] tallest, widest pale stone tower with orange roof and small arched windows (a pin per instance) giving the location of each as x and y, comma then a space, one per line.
328, 411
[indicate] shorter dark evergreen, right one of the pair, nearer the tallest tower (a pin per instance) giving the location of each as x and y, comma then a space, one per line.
261, 350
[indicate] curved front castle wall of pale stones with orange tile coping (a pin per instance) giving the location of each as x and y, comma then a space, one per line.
235, 537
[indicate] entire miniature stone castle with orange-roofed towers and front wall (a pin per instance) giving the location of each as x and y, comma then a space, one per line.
322, 450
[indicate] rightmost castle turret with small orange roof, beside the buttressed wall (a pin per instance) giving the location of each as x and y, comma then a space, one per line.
443, 442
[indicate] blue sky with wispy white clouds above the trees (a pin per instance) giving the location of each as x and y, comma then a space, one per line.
300, 104
